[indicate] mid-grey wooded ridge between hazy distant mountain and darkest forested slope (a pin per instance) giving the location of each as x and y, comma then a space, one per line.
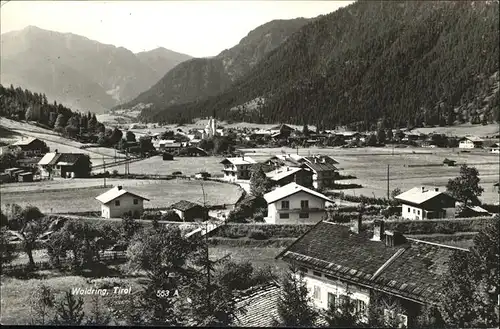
203, 77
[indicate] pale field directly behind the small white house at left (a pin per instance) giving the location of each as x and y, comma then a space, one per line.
79, 195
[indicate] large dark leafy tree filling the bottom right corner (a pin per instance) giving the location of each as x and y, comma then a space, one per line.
471, 283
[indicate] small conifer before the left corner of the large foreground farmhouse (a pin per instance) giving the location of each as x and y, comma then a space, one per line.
295, 308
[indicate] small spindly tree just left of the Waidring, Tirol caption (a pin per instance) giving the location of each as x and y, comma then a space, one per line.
42, 302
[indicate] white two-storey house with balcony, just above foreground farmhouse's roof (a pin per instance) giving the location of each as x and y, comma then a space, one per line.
294, 203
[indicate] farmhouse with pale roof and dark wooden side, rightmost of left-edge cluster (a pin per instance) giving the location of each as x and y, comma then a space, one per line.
67, 165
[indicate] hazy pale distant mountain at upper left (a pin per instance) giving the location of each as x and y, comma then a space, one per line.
98, 75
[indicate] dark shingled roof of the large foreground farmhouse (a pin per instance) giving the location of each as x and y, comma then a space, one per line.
413, 270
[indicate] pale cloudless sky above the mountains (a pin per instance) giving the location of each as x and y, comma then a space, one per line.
196, 28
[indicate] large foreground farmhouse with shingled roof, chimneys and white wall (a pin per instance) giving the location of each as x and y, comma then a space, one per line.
398, 274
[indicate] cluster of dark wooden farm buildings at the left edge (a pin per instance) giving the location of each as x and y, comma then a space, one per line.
35, 159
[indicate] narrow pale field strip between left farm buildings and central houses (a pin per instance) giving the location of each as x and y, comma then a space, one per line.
187, 165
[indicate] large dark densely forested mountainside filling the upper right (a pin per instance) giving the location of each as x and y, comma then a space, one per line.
410, 63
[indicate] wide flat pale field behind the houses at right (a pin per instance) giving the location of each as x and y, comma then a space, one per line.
369, 165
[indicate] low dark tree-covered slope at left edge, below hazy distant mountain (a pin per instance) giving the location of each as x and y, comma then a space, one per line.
19, 104
